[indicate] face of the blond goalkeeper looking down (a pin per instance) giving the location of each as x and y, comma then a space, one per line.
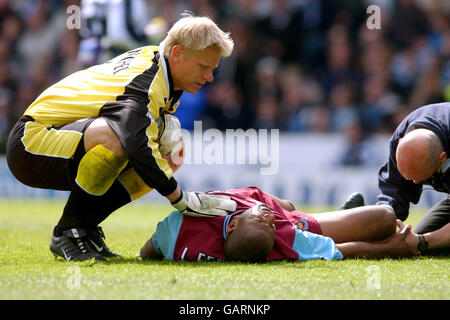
190, 71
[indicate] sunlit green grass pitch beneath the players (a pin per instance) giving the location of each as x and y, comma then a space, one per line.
29, 271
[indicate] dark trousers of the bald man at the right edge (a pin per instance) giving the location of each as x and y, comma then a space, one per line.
436, 218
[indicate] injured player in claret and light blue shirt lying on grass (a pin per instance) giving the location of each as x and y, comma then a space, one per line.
266, 228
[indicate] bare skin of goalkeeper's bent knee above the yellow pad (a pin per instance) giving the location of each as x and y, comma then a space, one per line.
100, 133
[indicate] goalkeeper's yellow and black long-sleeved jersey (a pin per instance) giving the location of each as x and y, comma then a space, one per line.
130, 92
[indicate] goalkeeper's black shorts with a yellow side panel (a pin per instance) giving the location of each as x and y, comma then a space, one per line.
46, 157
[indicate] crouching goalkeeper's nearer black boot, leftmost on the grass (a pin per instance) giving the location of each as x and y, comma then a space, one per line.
73, 245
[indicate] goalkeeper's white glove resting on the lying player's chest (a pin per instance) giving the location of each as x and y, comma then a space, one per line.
199, 204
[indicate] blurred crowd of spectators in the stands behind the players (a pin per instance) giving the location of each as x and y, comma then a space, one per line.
298, 65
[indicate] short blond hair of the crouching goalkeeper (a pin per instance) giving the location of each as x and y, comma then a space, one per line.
195, 34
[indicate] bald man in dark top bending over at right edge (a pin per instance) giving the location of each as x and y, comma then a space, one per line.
417, 157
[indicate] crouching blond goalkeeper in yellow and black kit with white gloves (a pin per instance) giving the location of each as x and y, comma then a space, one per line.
96, 134
